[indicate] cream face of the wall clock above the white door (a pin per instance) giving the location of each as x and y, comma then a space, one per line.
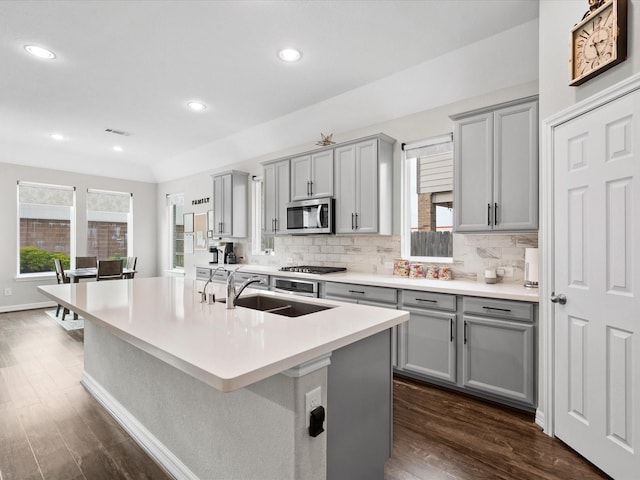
594, 43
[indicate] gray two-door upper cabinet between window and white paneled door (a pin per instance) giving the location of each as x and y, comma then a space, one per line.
496, 168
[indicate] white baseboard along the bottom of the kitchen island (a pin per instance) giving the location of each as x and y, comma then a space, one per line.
143, 437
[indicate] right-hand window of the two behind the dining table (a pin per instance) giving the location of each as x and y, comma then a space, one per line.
109, 224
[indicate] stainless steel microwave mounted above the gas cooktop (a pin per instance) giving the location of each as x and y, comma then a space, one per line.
310, 217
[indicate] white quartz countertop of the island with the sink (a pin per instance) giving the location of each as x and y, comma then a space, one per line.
227, 349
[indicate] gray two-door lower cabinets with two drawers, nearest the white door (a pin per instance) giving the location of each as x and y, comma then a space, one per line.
481, 346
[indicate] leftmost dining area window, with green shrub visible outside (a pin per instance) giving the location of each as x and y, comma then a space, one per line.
46, 227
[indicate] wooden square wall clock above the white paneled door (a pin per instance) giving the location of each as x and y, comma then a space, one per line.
599, 40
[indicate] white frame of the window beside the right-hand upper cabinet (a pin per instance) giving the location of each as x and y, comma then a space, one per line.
405, 202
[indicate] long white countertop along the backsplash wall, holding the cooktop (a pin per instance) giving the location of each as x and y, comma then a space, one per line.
507, 291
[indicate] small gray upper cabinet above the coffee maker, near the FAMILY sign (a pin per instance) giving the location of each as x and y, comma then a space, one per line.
230, 203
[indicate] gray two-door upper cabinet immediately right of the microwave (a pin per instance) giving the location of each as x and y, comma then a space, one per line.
363, 181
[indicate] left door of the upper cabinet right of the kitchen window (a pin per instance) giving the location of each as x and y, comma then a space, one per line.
473, 173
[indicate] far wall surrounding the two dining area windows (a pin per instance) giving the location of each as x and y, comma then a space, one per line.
25, 292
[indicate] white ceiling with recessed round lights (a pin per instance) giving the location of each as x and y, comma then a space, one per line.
133, 66
